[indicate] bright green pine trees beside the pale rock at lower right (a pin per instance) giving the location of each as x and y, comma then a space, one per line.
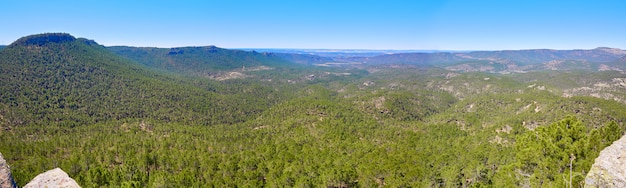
561, 152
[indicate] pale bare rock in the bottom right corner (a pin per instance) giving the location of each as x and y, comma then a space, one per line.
609, 169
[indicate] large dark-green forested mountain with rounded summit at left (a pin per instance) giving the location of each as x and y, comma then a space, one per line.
56, 78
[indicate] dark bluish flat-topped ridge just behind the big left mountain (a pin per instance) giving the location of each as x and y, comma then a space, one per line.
197, 60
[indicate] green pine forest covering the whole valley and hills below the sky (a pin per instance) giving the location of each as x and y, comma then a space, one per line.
151, 117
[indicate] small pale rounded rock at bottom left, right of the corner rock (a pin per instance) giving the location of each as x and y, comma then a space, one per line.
52, 178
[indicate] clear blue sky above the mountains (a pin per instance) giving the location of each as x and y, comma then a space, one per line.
326, 24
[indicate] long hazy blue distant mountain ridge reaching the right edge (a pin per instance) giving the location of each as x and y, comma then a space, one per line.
506, 61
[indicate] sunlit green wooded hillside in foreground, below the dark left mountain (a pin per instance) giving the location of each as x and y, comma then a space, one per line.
424, 127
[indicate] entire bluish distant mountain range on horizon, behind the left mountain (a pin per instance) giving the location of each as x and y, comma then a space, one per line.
210, 60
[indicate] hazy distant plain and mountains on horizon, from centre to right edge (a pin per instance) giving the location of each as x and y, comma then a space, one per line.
507, 61
